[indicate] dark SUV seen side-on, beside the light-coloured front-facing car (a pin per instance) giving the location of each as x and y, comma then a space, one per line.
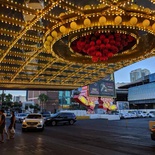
61, 117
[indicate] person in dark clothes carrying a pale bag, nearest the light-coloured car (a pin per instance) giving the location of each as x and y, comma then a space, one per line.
12, 125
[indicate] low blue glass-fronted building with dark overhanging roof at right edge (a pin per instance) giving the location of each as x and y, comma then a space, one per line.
141, 94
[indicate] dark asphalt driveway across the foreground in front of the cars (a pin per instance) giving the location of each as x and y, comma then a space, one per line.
86, 137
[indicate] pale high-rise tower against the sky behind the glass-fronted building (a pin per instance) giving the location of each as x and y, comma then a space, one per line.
138, 74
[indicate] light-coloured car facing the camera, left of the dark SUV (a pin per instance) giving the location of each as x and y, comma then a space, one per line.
33, 121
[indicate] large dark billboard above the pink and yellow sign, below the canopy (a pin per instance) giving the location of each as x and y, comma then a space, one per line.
104, 87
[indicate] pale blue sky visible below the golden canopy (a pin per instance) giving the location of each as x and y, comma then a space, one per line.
122, 75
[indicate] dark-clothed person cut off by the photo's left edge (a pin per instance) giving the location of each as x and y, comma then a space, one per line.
2, 125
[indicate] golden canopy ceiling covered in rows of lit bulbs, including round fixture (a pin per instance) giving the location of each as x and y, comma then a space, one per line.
59, 44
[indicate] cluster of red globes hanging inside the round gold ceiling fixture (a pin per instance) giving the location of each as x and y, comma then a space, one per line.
101, 46
